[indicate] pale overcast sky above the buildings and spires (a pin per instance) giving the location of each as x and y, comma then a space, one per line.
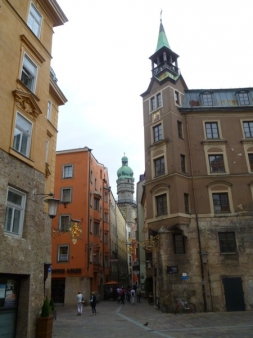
101, 59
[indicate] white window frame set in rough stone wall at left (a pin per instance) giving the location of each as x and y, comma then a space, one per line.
13, 207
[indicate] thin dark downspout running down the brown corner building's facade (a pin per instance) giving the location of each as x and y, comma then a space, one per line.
197, 219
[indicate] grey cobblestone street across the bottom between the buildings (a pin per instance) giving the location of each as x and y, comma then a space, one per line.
114, 320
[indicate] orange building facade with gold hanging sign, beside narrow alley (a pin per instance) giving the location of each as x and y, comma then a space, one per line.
80, 230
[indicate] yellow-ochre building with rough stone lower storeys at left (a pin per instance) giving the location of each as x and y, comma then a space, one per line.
30, 98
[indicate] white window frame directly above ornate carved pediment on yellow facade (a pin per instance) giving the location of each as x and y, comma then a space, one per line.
26, 73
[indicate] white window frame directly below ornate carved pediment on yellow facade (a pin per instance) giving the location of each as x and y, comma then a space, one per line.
21, 131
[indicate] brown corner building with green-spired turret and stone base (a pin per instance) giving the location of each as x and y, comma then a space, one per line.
198, 189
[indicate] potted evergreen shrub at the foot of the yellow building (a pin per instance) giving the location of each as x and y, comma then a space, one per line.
45, 322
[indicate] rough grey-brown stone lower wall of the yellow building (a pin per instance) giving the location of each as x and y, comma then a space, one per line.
25, 256
